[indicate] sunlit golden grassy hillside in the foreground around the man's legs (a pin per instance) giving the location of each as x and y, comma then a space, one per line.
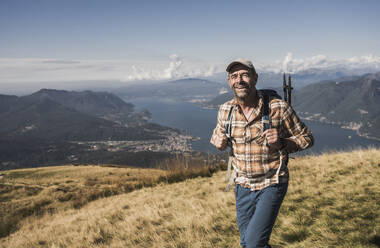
332, 201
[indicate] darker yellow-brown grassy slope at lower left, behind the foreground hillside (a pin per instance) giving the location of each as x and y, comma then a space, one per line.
47, 190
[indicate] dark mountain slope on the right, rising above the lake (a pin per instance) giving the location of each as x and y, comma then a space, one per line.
351, 103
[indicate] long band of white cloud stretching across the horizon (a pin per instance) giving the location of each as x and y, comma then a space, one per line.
29, 70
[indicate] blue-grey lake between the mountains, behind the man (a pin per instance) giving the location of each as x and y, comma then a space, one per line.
196, 121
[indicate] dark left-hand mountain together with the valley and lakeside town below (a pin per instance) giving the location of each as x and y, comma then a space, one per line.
59, 127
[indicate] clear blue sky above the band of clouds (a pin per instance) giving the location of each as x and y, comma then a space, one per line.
203, 31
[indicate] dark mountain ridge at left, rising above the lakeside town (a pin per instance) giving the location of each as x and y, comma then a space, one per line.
64, 115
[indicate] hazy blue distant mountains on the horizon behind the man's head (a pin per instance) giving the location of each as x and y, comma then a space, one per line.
210, 87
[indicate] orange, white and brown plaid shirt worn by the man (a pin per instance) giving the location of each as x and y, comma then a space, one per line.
255, 163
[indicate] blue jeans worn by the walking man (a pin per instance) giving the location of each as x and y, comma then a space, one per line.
256, 213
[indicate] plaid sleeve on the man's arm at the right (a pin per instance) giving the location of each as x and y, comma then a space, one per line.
299, 132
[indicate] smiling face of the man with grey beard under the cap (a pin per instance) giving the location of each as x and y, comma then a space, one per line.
242, 81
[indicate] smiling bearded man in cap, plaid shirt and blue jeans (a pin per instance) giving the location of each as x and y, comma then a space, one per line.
259, 155
